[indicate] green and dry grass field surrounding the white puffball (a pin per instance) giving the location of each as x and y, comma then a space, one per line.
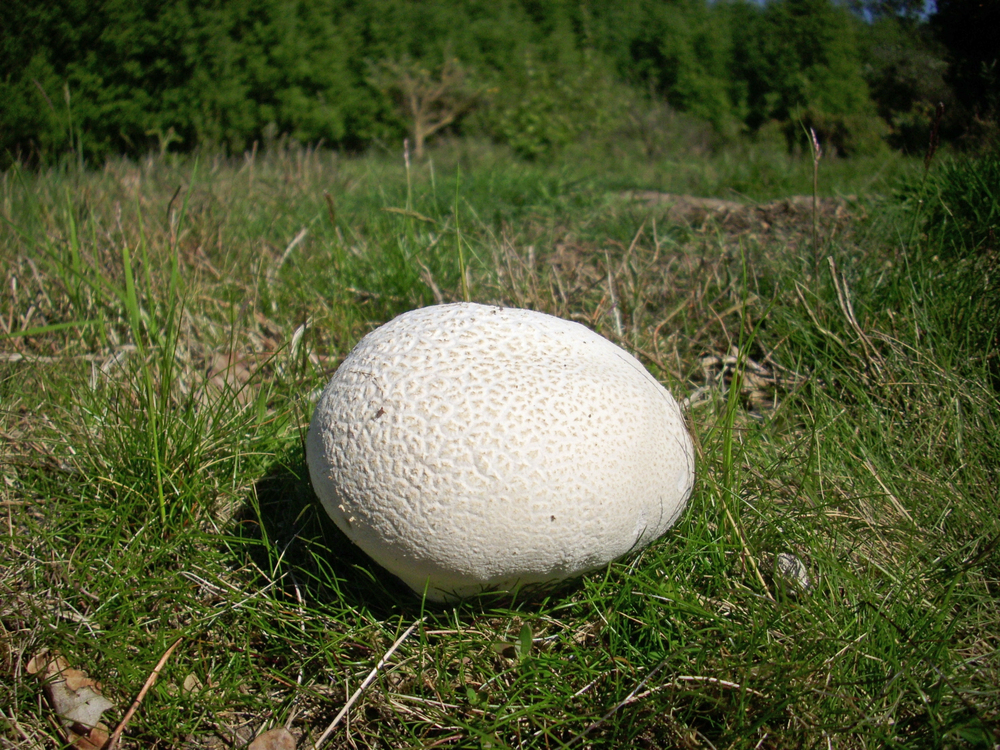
166, 323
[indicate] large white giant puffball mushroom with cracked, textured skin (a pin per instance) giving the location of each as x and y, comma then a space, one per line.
469, 448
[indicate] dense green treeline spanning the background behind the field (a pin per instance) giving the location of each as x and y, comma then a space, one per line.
101, 77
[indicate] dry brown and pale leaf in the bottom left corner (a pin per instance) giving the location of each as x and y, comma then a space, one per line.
75, 697
